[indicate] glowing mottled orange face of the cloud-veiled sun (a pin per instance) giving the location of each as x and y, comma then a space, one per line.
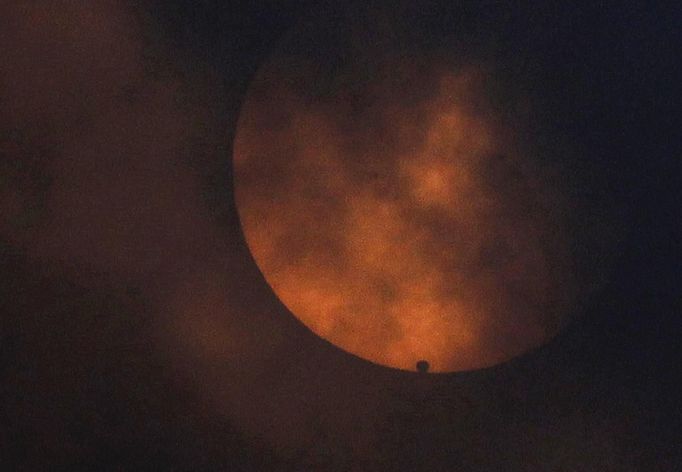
402, 226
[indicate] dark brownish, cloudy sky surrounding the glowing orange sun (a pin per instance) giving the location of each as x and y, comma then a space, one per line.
137, 333
